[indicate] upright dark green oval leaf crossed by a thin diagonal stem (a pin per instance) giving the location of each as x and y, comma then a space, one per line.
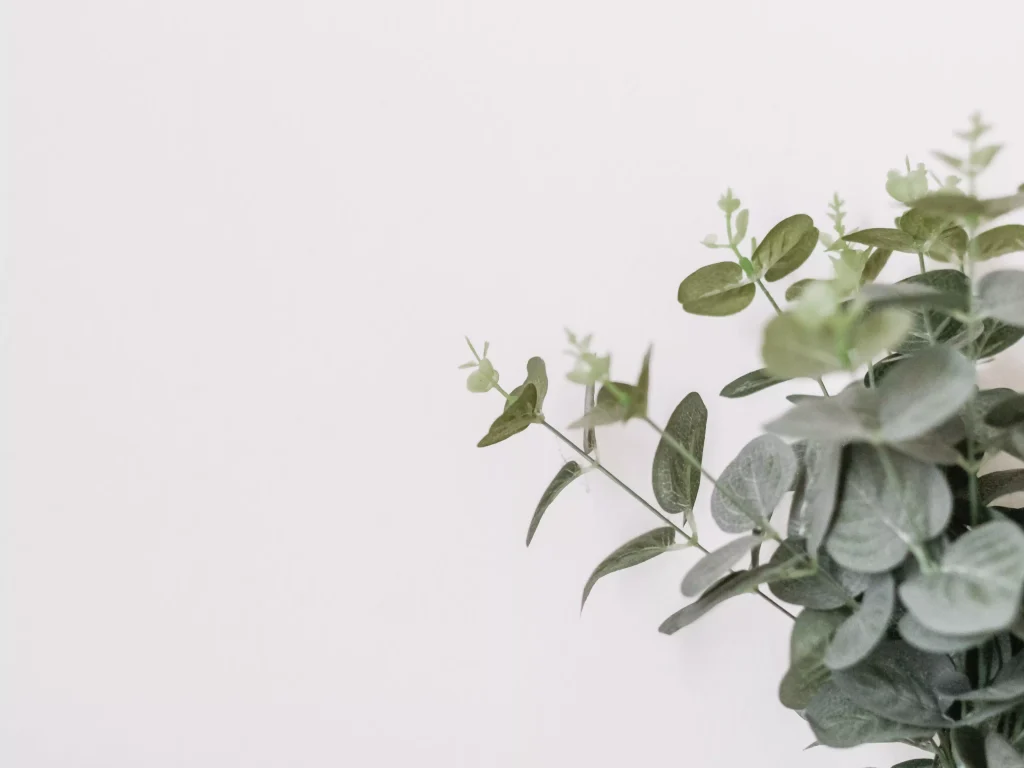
676, 483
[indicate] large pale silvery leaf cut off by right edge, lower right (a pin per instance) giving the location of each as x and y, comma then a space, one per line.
978, 586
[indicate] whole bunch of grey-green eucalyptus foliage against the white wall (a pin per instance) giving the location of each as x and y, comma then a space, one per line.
899, 550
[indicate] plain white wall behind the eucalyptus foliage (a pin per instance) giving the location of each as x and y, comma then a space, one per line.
244, 521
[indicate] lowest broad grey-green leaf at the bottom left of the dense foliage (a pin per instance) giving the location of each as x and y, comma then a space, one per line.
838, 722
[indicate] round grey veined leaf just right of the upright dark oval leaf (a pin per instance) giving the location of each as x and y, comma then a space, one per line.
753, 485
